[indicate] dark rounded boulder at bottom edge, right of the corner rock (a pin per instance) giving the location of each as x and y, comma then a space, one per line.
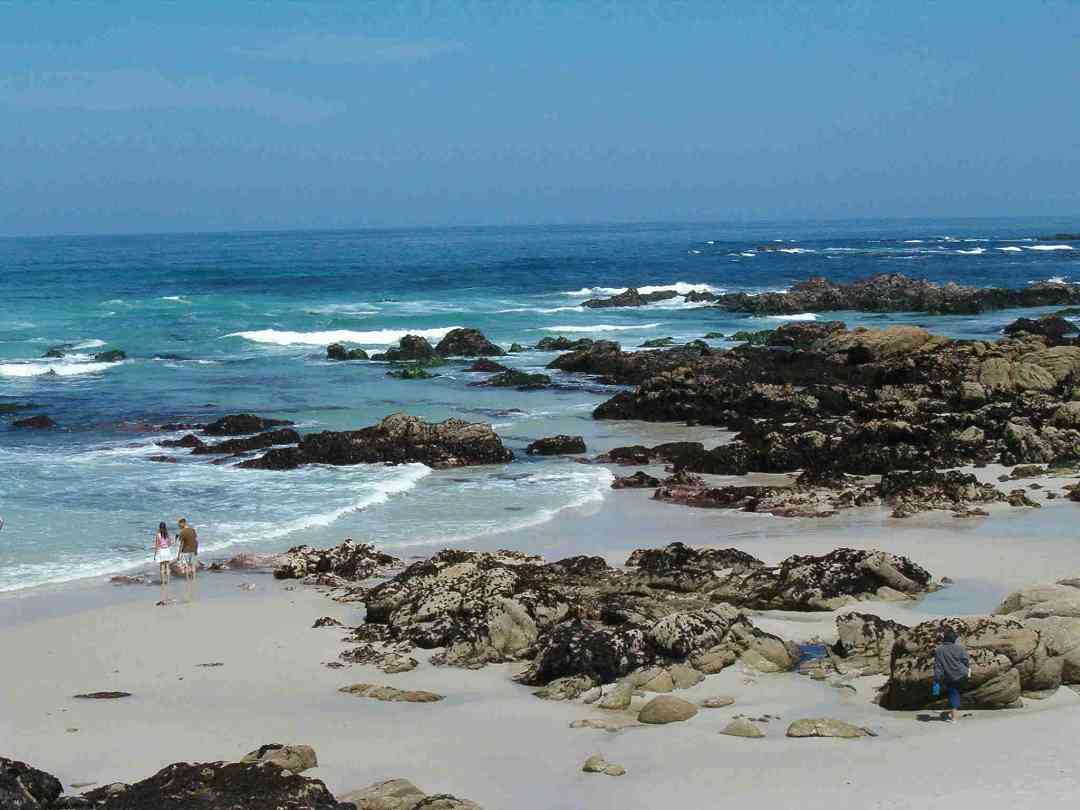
218, 787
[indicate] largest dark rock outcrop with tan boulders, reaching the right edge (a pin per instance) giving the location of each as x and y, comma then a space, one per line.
866, 402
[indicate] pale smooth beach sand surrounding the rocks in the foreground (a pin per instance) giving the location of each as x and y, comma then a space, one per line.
495, 744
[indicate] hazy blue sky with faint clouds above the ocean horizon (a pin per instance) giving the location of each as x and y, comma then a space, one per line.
141, 116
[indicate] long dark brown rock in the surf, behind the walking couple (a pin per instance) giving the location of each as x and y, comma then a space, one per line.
399, 439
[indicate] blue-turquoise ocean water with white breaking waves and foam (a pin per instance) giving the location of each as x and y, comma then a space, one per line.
239, 322
